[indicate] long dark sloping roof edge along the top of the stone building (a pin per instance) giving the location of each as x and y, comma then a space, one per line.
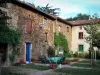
32, 8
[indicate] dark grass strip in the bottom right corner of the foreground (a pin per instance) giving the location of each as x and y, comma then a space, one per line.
74, 71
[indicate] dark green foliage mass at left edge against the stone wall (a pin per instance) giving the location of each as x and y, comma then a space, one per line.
7, 35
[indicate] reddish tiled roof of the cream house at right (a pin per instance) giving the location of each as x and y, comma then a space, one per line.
84, 22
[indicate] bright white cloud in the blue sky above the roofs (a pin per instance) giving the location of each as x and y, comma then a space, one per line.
65, 6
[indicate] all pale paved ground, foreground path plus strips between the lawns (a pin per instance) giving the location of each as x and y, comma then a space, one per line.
37, 72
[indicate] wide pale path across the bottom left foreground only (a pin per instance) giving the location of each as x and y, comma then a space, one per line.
30, 71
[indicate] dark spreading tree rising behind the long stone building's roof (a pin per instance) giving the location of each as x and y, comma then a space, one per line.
49, 10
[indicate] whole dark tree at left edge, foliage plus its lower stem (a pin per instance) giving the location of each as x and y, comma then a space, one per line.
8, 35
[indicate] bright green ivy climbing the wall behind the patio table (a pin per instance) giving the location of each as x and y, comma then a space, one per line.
60, 40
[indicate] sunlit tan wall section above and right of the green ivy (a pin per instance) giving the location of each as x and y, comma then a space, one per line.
65, 29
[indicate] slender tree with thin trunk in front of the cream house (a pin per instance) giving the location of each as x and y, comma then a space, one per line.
93, 39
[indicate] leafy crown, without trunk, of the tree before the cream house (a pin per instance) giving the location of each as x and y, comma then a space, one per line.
94, 34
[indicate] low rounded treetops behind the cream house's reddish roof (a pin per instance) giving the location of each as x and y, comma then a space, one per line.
79, 17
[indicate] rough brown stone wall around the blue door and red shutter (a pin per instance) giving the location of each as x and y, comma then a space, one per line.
37, 37
